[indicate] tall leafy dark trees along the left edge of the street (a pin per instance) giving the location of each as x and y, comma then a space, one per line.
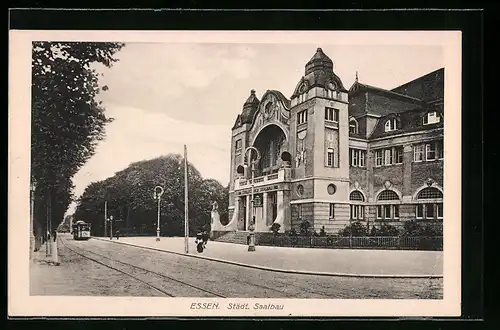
67, 121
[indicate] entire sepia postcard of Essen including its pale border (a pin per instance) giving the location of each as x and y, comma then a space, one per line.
240, 173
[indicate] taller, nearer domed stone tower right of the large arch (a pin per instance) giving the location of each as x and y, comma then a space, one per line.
319, 136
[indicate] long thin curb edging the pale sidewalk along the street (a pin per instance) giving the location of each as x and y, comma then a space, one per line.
279, 270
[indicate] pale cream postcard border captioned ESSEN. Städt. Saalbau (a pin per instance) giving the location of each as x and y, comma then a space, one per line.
21, 304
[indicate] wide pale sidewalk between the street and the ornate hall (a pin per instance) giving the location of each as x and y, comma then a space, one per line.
342, 262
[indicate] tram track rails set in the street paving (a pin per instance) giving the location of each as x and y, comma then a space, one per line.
142, 269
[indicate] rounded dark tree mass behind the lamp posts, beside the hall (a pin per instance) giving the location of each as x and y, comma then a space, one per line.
129, 198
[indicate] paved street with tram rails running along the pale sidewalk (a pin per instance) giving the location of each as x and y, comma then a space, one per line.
181, 276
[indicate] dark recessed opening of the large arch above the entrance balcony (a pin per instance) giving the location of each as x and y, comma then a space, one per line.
271, 142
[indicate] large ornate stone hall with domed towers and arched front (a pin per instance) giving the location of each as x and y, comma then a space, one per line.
331, 155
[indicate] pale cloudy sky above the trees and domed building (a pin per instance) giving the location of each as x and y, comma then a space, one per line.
165, 95
